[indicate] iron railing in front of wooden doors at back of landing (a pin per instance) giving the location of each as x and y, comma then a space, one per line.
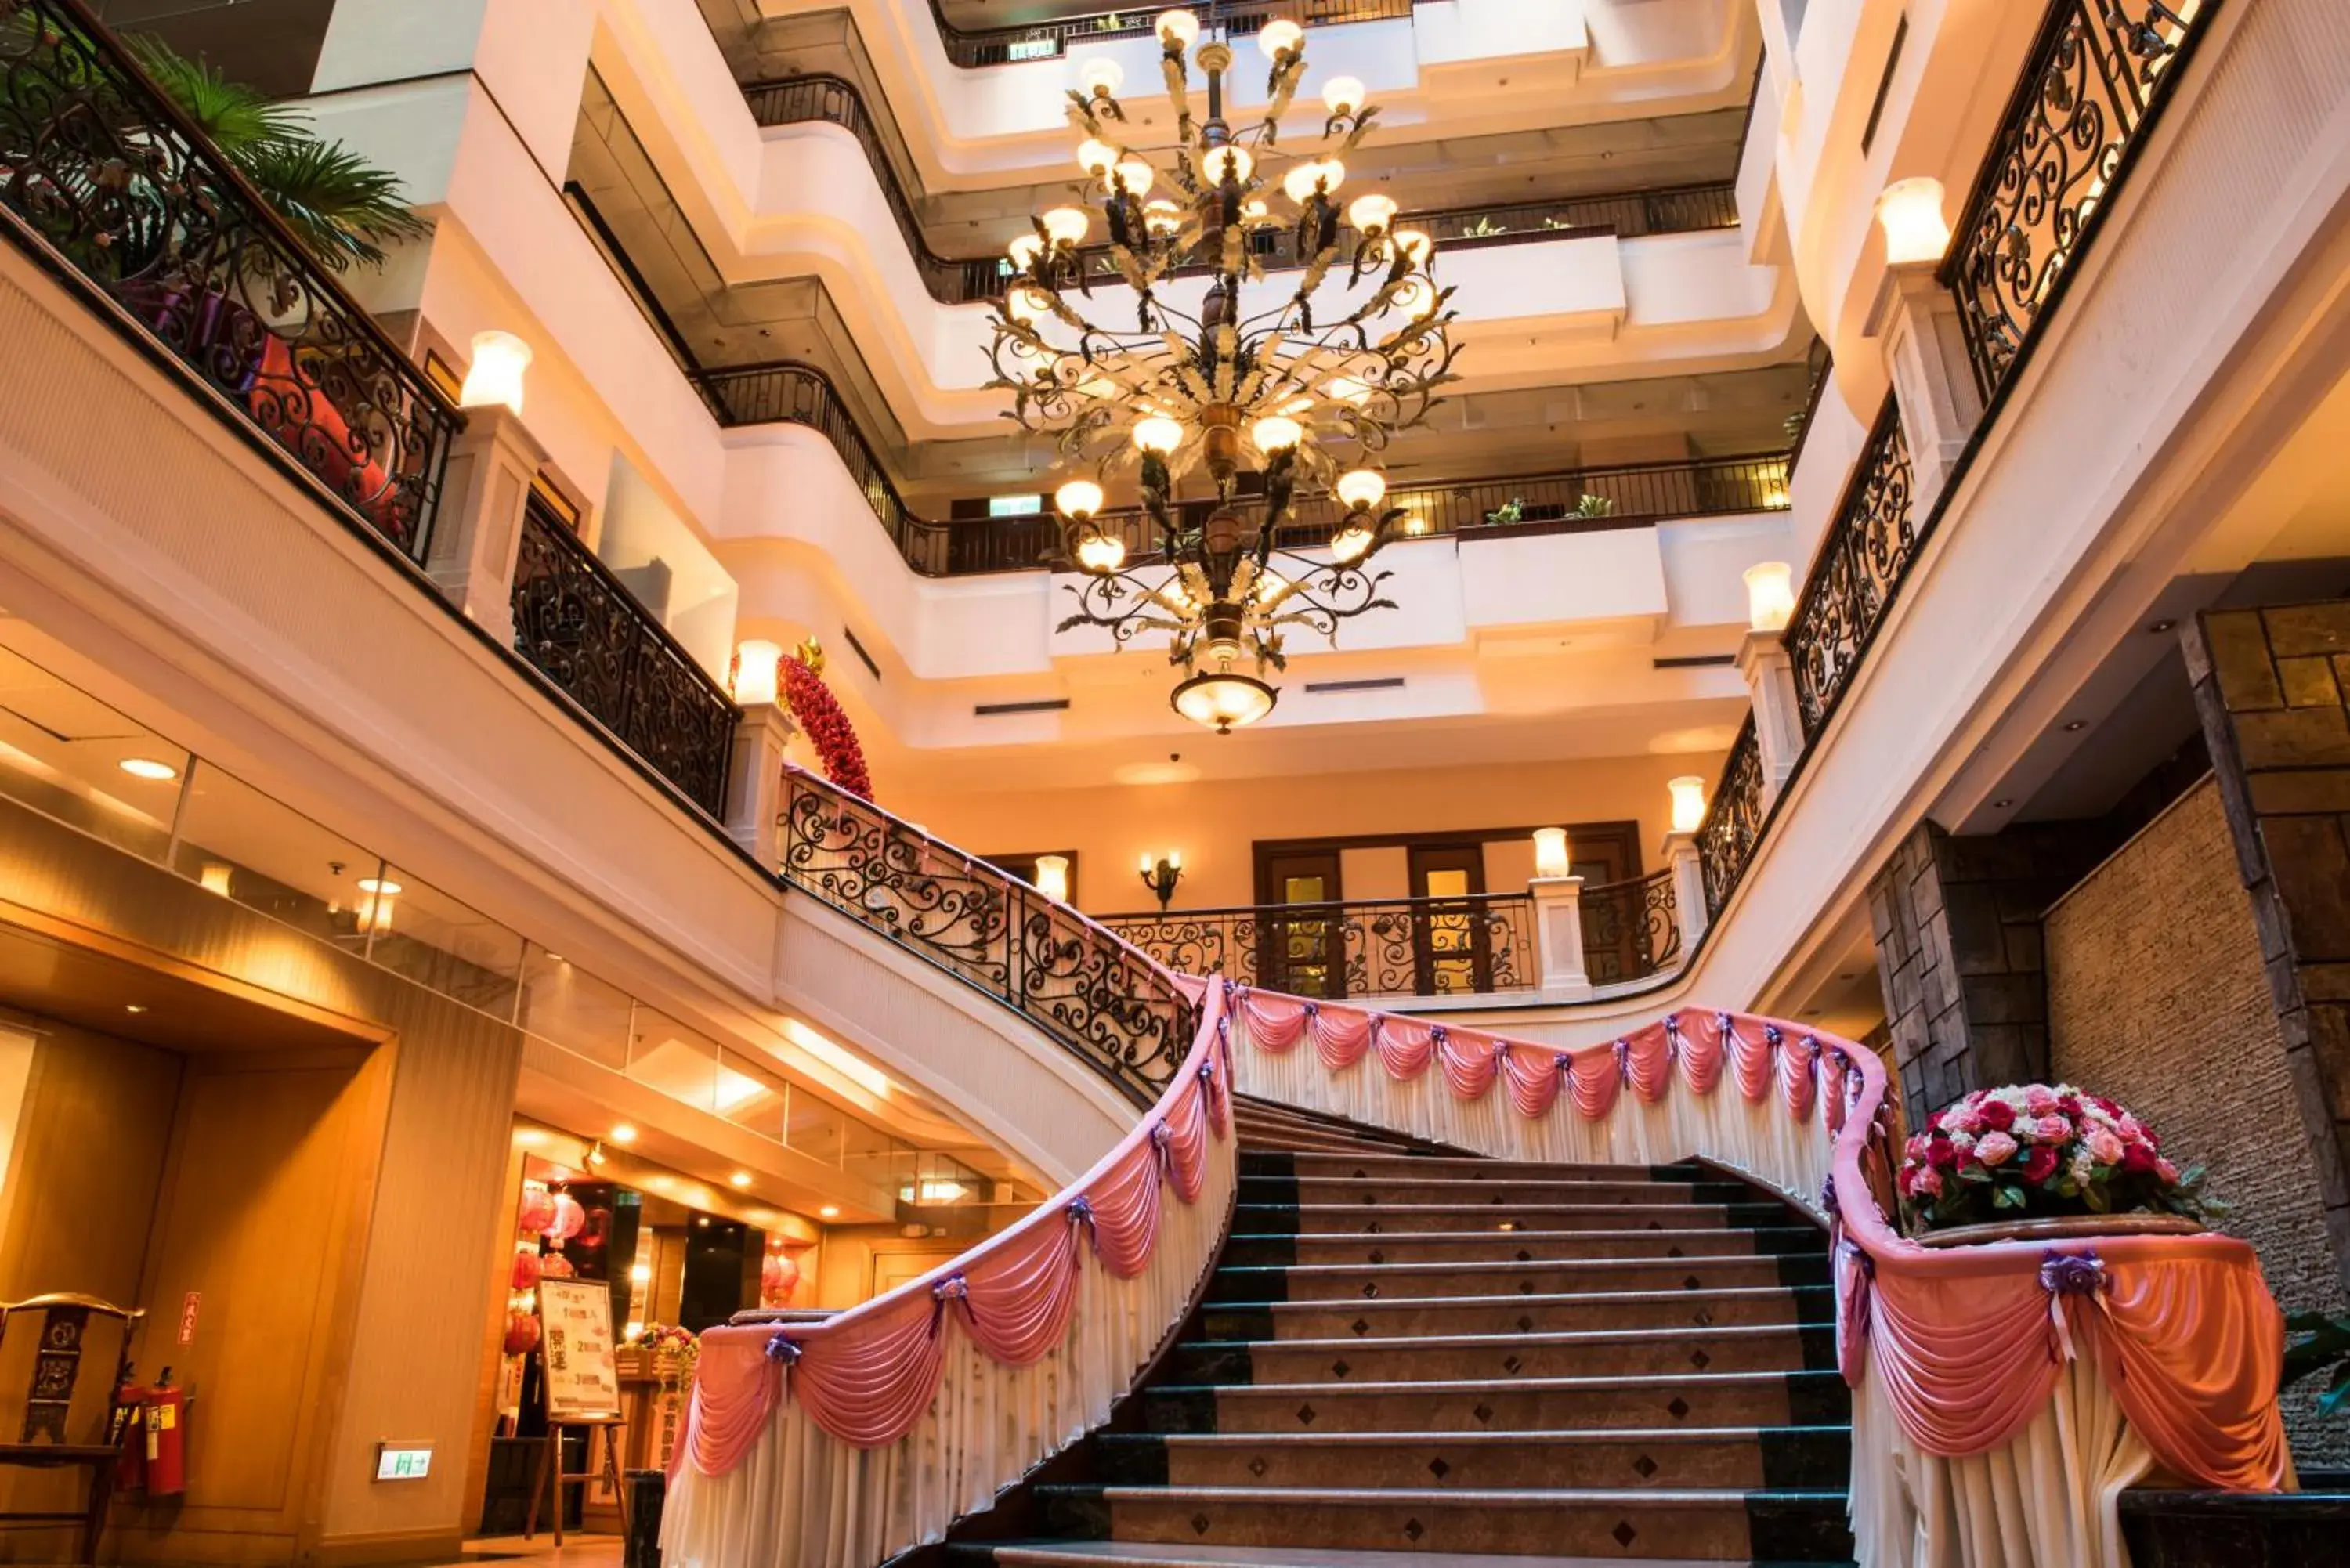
1378, 949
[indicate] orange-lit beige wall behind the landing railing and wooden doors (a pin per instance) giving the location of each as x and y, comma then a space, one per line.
1216, 822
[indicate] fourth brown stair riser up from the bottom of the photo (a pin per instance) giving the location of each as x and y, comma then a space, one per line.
1503, 1358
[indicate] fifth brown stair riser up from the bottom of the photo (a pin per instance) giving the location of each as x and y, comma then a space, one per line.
1517, 1315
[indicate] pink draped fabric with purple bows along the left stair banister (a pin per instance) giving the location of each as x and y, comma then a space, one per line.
868, 1374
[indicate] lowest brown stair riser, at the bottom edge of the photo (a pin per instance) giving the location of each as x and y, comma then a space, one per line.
1623, 1532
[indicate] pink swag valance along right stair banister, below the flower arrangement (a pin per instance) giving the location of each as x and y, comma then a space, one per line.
1968, 1341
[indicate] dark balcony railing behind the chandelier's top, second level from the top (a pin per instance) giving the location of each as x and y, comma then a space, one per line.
976, 279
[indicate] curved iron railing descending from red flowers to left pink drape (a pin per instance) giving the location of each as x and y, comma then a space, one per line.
1070, 977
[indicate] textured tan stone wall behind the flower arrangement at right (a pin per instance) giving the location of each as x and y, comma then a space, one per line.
2158, 1000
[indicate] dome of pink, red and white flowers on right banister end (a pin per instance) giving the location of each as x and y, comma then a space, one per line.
2032, 1151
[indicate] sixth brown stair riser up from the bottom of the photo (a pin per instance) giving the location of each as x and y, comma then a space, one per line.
1270, 1285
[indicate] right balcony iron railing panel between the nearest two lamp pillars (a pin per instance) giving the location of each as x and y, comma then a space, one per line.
1860, 568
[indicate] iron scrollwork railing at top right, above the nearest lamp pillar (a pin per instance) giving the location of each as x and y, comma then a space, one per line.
2095, 79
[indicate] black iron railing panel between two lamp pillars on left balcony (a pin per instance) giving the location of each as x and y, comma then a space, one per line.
582, 629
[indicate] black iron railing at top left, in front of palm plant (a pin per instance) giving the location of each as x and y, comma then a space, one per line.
116, 192
